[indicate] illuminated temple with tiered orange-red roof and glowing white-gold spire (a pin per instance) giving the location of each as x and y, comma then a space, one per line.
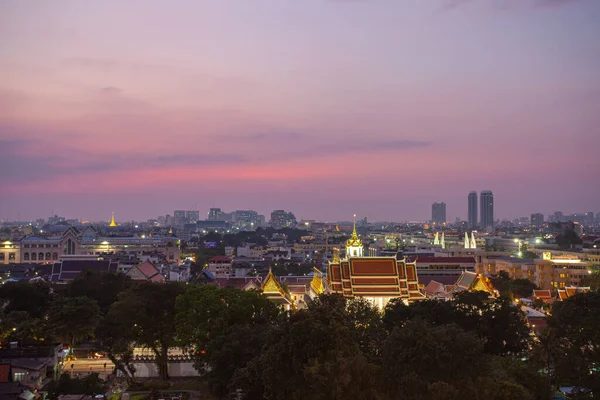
378, 279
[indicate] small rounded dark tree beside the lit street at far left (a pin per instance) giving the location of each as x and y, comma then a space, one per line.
73, 319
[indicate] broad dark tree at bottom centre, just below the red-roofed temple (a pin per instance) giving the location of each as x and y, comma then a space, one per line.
313, 354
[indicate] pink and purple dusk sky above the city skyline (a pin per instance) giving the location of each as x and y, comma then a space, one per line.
327, 108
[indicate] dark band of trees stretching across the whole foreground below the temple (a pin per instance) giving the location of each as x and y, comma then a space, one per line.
337, 348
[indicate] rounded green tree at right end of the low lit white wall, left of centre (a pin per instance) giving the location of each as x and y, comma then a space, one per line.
224, 329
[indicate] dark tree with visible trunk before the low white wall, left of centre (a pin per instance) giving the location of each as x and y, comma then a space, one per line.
145, 315
